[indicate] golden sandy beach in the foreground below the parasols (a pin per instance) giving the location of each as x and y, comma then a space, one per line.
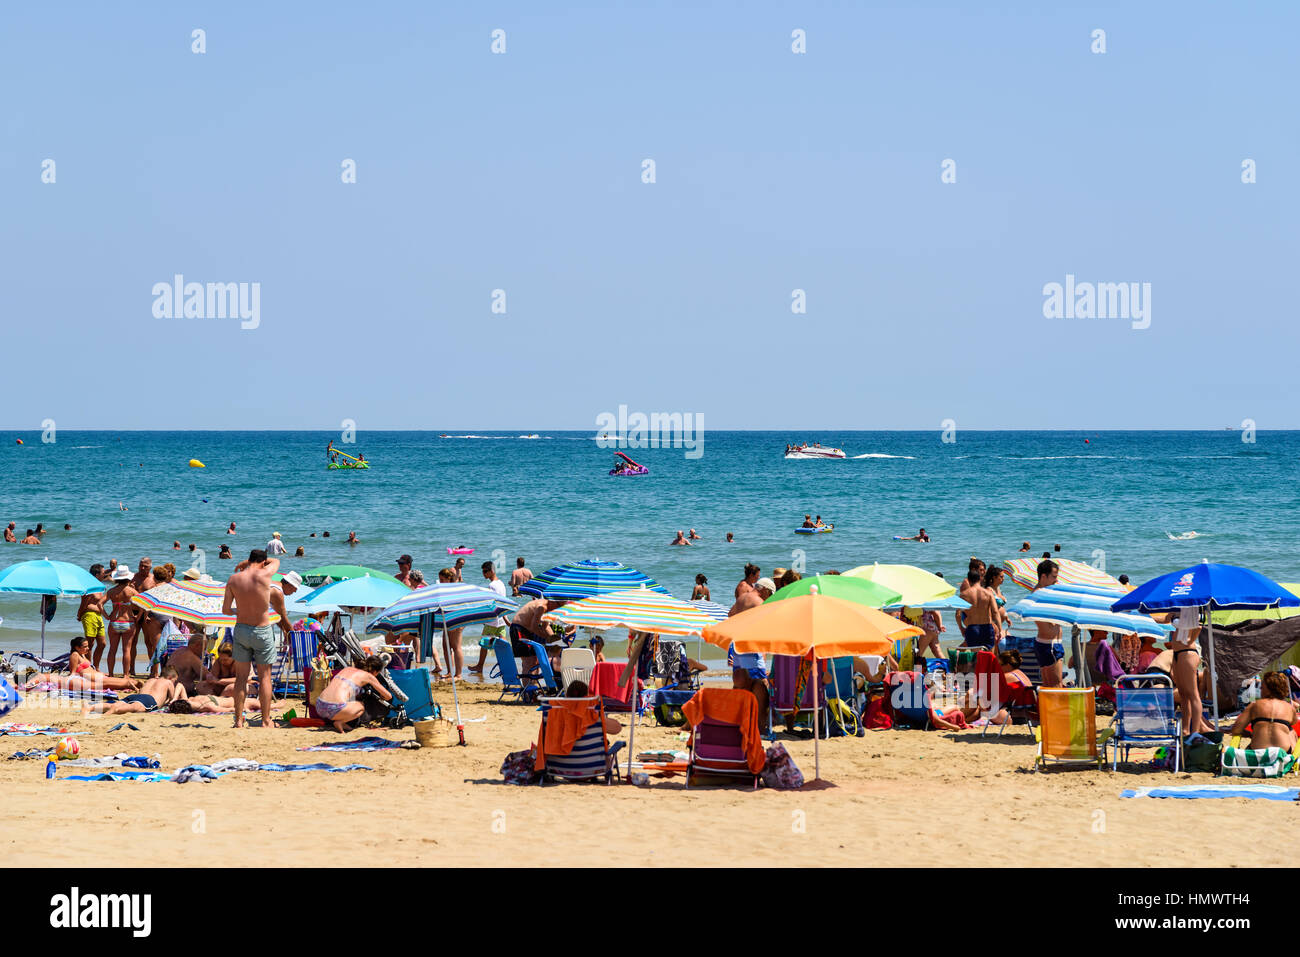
935, 799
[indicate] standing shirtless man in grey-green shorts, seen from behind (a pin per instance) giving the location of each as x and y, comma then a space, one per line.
249, 596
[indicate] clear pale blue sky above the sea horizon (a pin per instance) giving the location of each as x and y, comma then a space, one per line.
523, 172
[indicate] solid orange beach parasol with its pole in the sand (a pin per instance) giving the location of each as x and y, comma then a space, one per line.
811, 626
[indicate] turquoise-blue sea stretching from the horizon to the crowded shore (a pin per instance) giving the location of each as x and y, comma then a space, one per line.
1111, 496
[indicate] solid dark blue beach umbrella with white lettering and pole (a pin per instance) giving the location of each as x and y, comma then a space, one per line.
1210, 587
